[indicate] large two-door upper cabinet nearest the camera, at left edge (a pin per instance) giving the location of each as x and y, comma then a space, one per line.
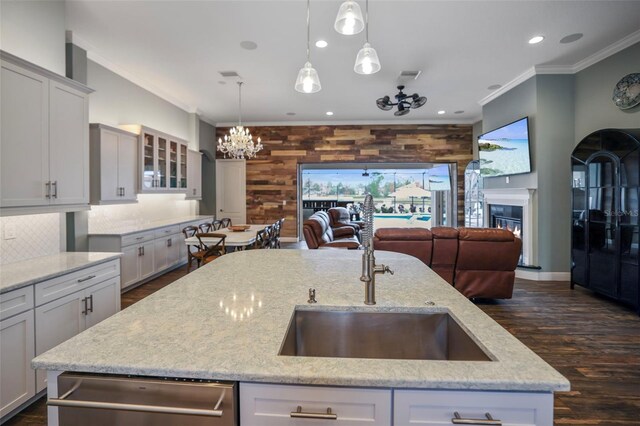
44, 145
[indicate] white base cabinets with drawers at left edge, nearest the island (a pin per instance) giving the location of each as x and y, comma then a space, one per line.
38, 317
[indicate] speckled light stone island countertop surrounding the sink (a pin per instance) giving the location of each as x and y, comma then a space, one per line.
184, 330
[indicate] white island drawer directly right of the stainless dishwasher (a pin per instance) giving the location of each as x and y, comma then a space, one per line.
273, 405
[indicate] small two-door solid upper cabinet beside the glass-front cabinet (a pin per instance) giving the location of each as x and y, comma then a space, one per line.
114, 155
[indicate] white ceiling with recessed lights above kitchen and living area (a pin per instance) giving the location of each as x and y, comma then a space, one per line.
177, 48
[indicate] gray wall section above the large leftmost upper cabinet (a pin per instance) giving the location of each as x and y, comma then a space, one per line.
34, 31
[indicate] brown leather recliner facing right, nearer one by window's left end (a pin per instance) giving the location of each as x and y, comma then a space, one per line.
319, 233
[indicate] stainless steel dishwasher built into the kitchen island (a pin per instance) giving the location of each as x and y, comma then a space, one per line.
103, 400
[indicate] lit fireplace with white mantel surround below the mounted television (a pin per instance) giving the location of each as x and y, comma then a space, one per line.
512, 208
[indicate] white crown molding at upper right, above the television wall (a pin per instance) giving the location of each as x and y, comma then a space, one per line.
600, 55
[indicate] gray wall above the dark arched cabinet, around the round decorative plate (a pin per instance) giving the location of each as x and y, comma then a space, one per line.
594, 89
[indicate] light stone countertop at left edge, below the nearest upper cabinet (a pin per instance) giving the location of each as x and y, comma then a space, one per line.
21, 274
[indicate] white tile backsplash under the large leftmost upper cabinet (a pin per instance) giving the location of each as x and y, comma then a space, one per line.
35, 236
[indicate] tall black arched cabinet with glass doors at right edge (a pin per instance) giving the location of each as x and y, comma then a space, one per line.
605, 214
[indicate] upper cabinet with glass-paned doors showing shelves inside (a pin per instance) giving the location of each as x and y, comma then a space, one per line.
164, 162
